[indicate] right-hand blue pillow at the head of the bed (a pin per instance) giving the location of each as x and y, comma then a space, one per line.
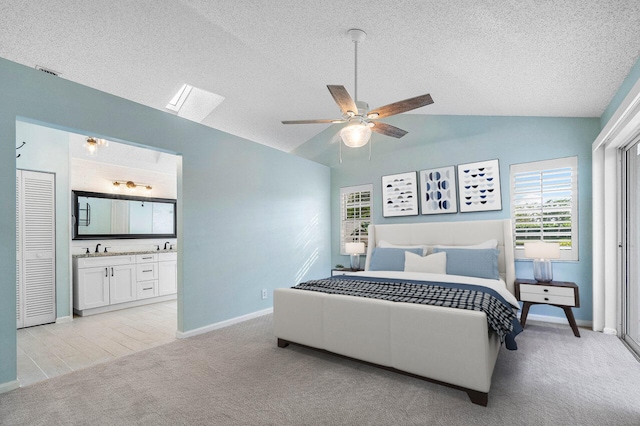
481, 263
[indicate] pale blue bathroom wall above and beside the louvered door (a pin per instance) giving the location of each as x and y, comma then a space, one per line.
47, 150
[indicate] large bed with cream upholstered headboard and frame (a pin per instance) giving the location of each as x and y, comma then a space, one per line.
446, 345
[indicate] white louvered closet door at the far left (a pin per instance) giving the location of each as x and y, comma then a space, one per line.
36, 227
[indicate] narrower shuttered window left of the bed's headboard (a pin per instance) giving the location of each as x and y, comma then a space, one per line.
355, 214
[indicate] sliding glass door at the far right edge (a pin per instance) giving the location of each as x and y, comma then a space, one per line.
631, 238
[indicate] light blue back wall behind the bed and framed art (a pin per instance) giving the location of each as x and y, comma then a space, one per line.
435, 141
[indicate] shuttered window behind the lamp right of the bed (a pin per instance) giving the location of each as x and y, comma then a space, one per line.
544, 204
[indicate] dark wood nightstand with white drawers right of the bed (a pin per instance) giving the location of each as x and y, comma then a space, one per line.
555, 293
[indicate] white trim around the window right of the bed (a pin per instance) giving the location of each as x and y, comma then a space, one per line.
571, 254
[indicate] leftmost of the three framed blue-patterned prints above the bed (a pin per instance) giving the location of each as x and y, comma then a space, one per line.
400, 195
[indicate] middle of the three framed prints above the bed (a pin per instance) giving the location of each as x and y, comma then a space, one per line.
438, 190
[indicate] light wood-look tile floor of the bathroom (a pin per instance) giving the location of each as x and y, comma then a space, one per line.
50, 350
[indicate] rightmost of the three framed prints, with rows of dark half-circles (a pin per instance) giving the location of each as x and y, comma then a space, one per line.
479, 186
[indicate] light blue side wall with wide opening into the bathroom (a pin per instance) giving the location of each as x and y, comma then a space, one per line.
251, 217
